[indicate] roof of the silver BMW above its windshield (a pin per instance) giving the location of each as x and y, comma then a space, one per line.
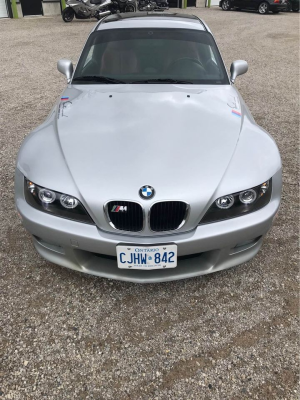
151, 19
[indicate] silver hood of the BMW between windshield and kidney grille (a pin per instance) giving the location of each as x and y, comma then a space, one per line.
179, 141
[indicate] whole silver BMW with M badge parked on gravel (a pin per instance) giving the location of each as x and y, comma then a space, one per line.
150, 167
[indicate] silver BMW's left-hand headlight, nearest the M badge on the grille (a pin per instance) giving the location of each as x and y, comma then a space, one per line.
58, 204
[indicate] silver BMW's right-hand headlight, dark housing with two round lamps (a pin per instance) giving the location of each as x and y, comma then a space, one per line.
237, 204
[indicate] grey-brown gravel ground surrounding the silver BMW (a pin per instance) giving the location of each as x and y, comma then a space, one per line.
230, 335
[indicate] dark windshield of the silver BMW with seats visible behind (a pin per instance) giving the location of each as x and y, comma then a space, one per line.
150, 56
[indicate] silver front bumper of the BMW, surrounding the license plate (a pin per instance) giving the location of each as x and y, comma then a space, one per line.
208, 248
